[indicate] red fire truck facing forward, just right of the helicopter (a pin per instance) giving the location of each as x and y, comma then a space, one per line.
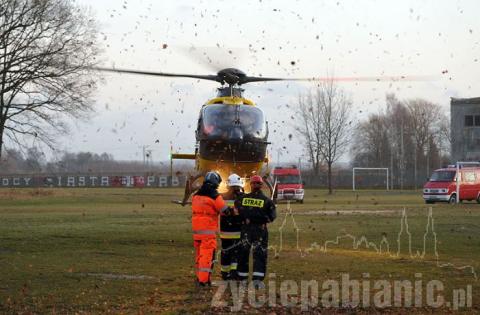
289, 183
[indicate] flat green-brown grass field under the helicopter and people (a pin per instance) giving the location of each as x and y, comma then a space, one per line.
130, 251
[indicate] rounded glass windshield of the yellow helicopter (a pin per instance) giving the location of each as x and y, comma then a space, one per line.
233, 123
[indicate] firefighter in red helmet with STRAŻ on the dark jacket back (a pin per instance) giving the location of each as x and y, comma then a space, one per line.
256, 211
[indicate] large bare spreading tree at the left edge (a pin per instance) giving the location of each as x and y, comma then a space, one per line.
46, 50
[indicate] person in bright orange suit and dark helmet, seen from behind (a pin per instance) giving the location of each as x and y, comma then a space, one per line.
207, 205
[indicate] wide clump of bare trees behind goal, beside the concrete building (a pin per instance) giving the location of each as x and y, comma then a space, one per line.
414, 131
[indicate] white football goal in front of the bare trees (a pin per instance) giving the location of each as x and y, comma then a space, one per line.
370, 177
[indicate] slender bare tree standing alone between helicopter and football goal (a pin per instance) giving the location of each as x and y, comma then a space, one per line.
325, 125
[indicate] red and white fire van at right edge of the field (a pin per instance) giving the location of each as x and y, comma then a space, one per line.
442, 185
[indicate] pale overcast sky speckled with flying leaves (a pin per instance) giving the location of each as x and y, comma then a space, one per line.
269, 38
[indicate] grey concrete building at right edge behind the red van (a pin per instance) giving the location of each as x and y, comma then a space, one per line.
465, 129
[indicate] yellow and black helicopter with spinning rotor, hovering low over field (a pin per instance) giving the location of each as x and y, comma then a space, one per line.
232, 132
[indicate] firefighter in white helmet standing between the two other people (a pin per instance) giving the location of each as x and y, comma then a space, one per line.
230, 229
